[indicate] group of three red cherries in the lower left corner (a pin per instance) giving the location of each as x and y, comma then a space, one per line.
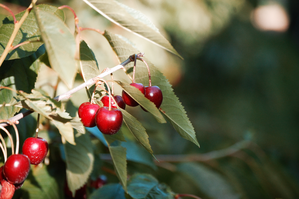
17, 166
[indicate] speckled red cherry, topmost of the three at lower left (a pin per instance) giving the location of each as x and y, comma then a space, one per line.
36, 149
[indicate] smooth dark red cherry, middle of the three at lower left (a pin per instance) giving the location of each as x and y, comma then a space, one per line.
16, 168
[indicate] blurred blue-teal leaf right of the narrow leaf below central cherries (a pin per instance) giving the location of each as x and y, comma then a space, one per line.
138, 154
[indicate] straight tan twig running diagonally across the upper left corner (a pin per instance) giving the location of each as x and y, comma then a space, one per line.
15, 32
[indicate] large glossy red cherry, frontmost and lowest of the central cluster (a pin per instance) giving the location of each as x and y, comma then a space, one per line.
109, 121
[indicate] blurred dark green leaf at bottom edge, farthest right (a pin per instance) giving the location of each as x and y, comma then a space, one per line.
213, 184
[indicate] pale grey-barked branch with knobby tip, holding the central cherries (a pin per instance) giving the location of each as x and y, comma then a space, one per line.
68, 94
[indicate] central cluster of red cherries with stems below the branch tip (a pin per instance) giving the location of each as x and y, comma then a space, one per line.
109, 118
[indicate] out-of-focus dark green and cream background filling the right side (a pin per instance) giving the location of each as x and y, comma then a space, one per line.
238, 81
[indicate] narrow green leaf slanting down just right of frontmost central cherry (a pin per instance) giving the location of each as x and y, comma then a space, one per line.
136, 128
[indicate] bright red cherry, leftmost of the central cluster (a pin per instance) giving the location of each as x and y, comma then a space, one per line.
87, 112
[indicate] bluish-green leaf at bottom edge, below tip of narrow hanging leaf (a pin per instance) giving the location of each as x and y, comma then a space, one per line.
144, 186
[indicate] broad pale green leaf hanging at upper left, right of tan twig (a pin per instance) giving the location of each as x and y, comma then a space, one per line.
60, 45
